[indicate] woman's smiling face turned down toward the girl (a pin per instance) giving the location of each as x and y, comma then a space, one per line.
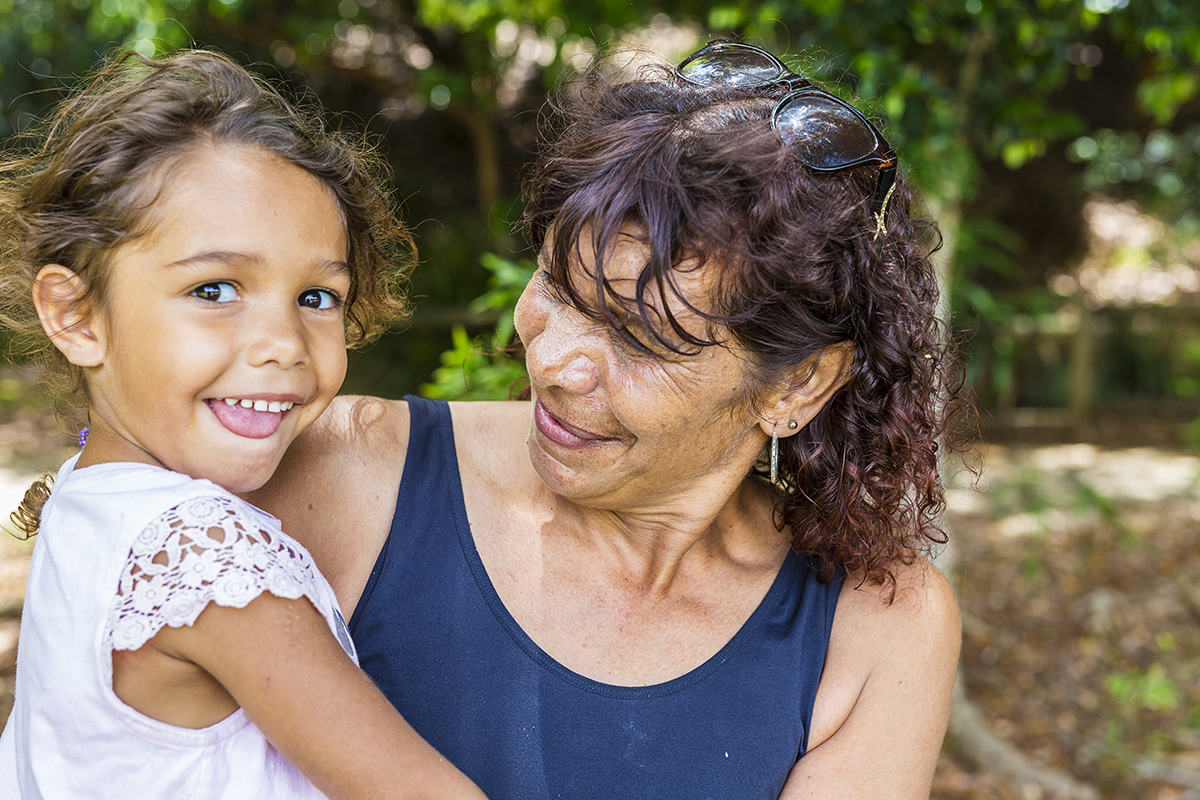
619, 429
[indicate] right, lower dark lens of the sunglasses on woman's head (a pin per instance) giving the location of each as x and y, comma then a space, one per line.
824, 133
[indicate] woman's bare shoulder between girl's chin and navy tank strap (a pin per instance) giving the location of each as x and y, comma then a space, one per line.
335, 490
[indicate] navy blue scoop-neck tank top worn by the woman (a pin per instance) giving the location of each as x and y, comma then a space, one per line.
435, 636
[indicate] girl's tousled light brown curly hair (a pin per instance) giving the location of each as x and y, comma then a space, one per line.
88, 181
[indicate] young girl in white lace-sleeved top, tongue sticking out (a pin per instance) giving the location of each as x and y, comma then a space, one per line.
199, 252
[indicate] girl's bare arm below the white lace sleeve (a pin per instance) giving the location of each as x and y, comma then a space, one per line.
285, 667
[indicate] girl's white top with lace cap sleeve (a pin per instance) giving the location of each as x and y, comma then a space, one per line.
124, 551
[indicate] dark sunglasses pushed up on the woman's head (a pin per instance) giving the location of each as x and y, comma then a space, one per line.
826, 134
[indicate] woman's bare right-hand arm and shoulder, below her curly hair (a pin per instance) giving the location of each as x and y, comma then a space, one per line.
885, 695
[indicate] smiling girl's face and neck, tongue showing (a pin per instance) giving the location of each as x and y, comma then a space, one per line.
221, 333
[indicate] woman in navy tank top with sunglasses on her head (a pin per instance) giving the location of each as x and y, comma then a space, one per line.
692, 566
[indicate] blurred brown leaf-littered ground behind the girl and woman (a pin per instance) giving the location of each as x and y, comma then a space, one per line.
1078, 570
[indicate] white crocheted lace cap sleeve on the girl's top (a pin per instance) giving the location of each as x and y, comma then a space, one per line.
205, 550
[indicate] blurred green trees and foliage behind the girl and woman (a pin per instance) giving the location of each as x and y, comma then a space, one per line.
1010, 115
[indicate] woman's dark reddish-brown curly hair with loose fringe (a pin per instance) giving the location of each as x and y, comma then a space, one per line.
703, 179
